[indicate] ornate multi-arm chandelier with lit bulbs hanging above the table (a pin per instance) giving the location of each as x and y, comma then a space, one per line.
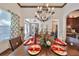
44, 13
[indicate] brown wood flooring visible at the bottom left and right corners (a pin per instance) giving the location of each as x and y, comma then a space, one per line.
71, 51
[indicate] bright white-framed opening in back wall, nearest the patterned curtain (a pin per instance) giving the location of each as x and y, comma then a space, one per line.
30, 27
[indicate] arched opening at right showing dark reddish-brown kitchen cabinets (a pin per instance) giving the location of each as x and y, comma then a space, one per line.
72, 25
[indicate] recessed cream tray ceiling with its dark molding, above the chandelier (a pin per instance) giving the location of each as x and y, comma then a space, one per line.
35, 5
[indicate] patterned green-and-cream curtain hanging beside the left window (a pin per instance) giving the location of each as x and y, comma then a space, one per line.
15, 26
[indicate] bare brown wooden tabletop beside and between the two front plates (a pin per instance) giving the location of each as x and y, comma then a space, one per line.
23, 51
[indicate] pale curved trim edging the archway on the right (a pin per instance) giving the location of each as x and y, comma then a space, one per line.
67, 12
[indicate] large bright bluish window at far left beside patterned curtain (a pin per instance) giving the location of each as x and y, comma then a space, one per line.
5, 22
